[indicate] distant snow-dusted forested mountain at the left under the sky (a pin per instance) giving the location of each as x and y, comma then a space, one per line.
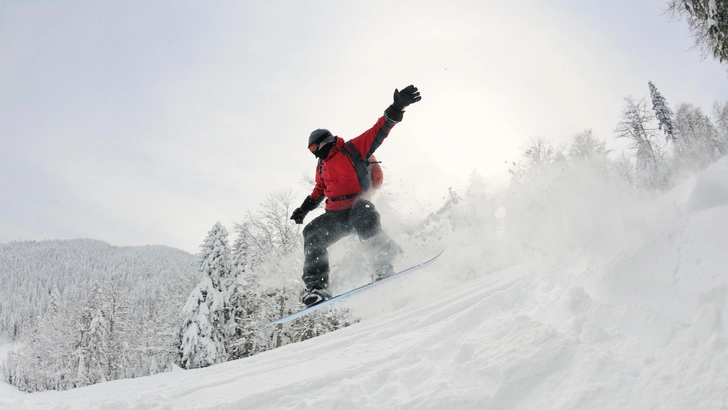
29, 270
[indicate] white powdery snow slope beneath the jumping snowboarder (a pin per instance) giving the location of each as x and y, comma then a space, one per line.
626, 307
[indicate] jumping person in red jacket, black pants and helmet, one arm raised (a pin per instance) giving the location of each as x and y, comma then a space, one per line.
344, 177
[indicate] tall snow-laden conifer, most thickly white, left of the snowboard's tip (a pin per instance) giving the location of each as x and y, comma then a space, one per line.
207, 314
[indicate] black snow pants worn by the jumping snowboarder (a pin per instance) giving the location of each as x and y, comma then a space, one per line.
327, 229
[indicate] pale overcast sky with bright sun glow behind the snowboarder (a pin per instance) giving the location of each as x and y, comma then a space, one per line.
145, 122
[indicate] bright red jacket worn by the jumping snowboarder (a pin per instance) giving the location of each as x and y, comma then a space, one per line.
336, 177
